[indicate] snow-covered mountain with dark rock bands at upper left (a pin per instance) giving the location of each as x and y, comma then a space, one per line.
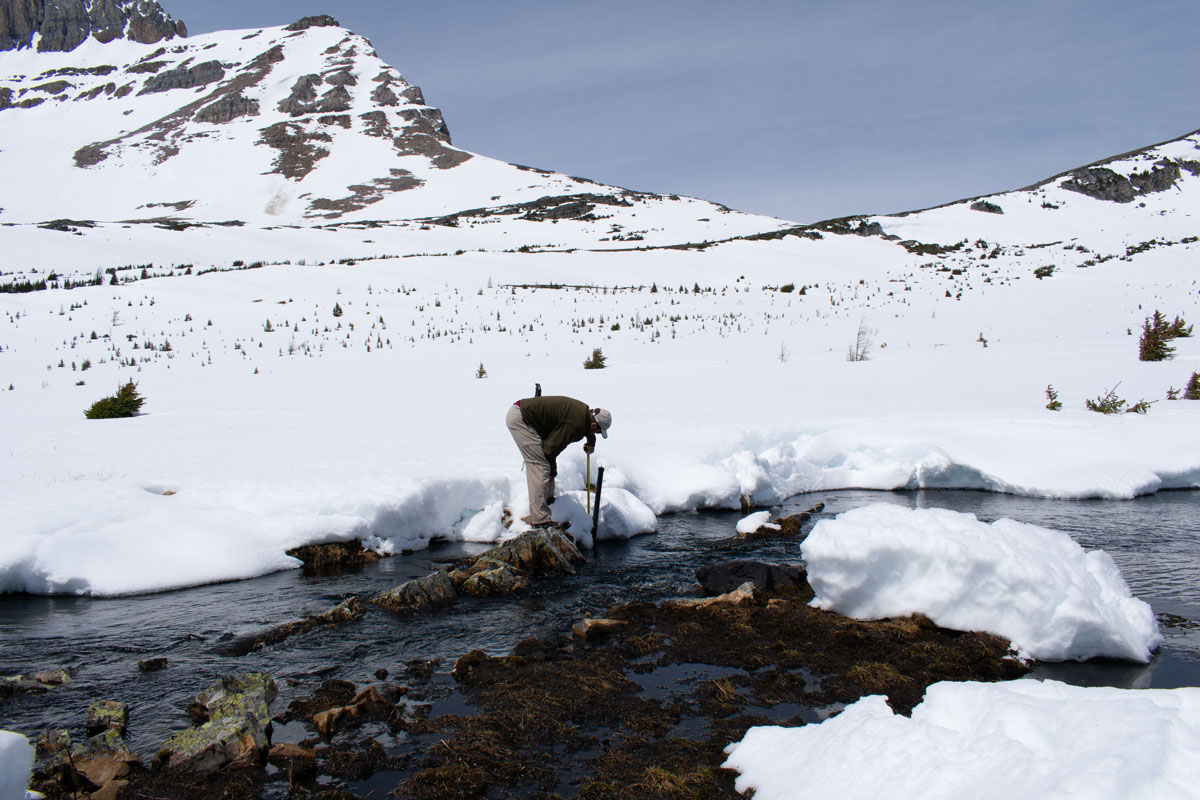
295, 125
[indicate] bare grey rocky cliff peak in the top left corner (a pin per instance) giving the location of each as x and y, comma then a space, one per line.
63, 26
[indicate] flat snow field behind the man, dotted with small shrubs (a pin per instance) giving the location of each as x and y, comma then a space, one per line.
375, 424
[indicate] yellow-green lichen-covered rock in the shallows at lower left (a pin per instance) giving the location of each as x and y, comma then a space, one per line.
235, 731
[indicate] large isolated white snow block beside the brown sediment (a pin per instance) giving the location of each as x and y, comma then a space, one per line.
1033, 586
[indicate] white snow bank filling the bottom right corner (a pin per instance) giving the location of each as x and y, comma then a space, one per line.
992, 742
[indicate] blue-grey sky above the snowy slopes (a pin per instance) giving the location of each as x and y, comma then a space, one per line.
805, 111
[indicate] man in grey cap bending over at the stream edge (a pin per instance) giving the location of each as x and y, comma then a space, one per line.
543, 428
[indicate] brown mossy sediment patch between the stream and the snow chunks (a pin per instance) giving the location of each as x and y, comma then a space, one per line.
595, 721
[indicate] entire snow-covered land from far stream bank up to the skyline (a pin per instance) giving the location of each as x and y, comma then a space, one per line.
274, 236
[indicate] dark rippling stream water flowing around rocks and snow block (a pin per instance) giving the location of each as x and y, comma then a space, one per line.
1156, 542
